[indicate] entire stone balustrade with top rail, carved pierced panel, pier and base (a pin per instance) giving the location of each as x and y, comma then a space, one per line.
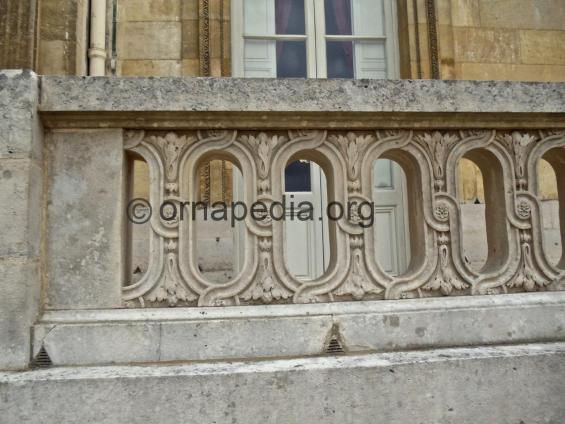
85, 128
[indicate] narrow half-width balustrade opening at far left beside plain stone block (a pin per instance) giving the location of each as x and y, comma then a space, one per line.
138, 227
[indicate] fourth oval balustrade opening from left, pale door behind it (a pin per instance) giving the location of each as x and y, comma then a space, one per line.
398, 201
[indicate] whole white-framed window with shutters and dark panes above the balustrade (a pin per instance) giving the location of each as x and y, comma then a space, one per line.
314, 39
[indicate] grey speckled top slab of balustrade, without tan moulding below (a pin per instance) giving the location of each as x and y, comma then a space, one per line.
261, 95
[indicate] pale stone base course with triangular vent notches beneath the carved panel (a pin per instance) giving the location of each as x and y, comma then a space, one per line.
255, 332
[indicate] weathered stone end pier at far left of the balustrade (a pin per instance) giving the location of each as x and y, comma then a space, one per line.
21, 188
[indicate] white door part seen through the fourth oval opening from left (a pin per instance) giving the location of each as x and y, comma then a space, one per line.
390, 227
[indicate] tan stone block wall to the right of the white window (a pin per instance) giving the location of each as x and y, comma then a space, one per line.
502, 39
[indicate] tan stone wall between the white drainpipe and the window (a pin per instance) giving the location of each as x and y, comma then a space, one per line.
173, 37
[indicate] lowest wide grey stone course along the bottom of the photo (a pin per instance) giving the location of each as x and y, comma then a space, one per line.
504, 385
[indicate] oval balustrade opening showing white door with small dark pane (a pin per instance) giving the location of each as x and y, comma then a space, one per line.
308, 231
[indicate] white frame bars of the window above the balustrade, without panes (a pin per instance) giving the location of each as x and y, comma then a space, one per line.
316, 39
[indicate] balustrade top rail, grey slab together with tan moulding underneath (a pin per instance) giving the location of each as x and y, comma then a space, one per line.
68, 102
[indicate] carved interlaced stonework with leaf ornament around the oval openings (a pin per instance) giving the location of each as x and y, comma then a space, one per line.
174, 280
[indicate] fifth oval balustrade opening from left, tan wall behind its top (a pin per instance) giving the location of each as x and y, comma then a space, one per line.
481, 196
